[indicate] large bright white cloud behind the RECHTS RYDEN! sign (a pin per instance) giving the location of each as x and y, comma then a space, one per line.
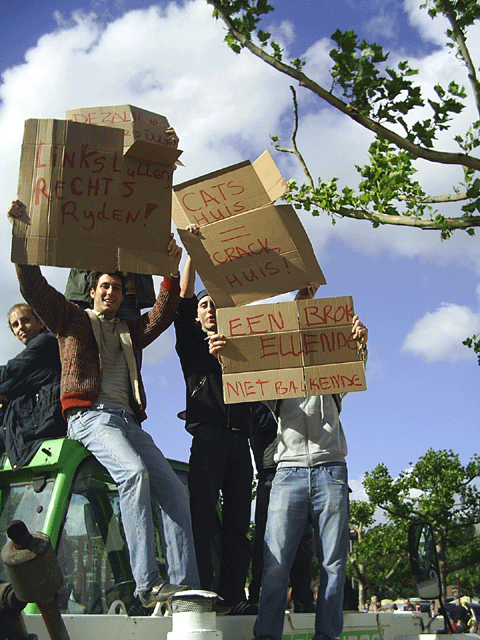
172, 61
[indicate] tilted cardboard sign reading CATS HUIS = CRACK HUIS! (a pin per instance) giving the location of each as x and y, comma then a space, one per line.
248, 249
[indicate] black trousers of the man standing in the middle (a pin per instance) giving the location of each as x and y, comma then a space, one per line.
220, 462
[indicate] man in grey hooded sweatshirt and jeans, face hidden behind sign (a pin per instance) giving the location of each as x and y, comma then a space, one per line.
311, 480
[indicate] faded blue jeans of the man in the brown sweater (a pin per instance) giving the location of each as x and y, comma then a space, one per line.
143, 474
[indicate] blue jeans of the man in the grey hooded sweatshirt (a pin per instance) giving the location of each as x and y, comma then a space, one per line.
322, 492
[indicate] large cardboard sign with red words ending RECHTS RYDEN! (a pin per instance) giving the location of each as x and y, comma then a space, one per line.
91, 204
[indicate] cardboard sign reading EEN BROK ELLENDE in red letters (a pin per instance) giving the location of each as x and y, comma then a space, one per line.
290, 350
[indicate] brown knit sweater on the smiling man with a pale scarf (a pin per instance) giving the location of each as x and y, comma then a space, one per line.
81, 364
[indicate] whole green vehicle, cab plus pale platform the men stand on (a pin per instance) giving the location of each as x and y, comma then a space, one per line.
65, 493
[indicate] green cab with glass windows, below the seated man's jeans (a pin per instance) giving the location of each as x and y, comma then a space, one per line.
67, 494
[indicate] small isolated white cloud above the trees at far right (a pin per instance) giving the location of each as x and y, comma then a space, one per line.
439, 334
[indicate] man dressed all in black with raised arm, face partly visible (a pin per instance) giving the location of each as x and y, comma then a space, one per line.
220, 455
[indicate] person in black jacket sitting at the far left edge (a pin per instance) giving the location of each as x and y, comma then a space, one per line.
30, 388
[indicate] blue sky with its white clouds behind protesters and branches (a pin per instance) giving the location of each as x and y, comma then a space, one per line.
418, 297
